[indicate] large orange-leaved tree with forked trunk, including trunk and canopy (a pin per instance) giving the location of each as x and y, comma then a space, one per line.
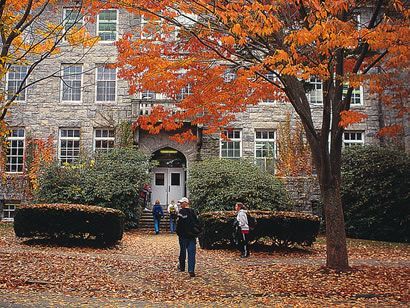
229, 54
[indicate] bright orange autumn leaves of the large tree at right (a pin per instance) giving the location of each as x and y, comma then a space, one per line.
202, 51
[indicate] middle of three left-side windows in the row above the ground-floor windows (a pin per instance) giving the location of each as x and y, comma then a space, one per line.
71, 82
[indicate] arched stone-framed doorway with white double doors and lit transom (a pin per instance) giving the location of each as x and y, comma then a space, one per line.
168, 178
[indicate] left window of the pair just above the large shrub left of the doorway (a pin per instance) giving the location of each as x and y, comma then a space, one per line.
69, 145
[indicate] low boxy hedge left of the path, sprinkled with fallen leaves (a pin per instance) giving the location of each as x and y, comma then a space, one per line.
69, 221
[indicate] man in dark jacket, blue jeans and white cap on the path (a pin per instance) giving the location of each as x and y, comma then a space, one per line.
188, 229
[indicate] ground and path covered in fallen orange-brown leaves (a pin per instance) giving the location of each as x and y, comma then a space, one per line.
142, 271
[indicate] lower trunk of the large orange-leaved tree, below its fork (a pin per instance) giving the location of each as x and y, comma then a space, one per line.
336, 248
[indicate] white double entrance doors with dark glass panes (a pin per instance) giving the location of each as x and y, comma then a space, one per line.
167, 184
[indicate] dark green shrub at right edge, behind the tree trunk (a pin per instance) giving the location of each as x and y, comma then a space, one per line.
376, 193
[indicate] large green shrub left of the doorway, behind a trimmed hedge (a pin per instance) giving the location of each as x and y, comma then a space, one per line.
112, 180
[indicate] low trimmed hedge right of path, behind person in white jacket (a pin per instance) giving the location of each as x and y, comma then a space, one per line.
285, 229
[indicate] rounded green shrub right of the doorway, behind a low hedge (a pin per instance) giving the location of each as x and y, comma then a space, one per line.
217, 184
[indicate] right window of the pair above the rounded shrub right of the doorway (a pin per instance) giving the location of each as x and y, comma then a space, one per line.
265, 149
